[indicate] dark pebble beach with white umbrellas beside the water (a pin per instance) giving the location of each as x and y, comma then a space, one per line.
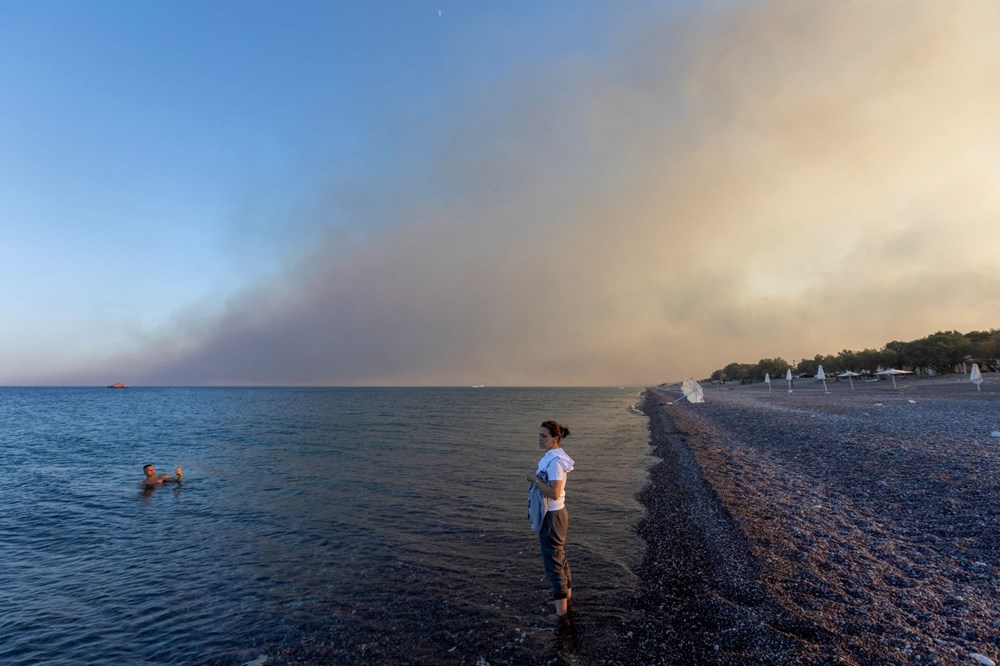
859, 526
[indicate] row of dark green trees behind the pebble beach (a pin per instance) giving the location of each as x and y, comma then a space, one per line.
940, 353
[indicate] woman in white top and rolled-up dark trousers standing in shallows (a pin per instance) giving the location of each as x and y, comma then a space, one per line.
550, 480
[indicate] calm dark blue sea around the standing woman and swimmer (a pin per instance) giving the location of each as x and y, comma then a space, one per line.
313, 526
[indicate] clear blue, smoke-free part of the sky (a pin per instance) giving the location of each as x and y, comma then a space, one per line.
165, 153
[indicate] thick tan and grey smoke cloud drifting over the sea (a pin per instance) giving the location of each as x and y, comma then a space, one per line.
780, 179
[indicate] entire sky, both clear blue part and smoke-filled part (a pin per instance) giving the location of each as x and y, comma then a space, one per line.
512, 193
